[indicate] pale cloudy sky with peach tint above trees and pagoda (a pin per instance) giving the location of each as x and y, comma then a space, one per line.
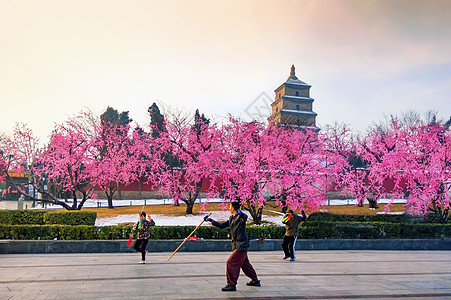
364, 59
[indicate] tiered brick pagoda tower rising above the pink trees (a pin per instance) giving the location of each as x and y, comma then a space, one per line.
292, 105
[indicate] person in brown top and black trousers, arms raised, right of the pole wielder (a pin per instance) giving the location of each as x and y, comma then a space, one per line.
291, 221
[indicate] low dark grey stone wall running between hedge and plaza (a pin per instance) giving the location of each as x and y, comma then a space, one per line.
117, 246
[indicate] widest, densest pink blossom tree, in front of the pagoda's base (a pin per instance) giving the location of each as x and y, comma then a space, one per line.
258, 163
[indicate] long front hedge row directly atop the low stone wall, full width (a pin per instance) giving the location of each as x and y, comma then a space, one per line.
312, 230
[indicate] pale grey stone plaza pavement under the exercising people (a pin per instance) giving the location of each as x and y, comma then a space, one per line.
201, 275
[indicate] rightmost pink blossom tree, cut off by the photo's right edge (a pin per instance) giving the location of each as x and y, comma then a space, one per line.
423, 159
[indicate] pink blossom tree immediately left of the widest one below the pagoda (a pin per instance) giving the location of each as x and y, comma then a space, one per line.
185, 149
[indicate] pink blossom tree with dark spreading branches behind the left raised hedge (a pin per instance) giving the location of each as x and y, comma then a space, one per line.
67, 160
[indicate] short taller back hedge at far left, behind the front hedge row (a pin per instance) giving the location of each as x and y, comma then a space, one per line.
39, 217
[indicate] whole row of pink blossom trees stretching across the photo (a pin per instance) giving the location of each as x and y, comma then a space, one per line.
250, 162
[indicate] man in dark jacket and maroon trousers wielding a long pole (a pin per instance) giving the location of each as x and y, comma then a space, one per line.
240, 245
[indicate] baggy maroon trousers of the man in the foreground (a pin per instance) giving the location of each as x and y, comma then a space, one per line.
238, 260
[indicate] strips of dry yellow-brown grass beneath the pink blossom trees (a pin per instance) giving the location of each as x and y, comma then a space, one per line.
180, 210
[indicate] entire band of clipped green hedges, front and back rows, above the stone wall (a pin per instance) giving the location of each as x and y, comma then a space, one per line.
77, 225
